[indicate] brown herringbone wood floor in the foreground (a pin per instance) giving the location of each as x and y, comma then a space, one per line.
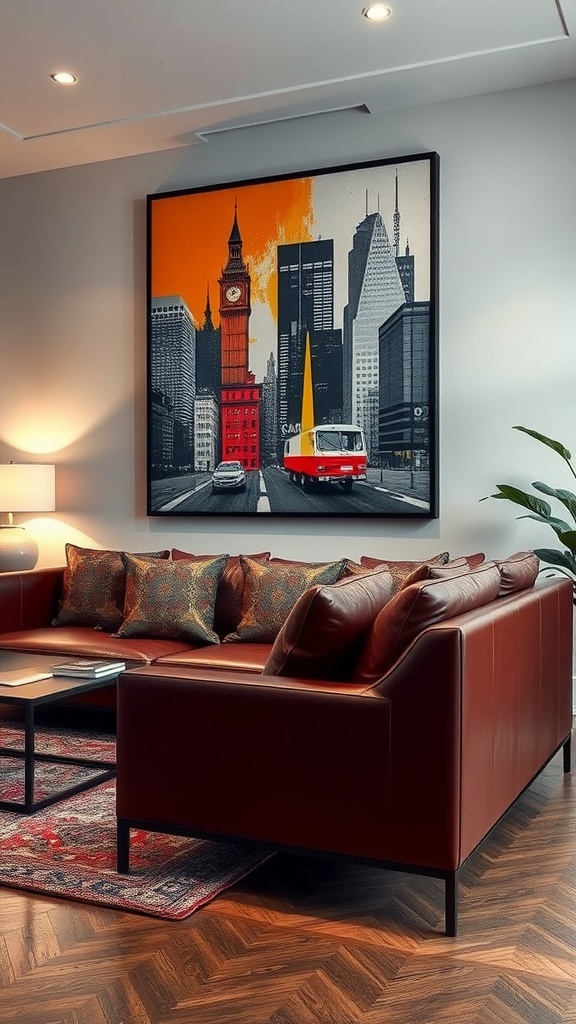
305, 942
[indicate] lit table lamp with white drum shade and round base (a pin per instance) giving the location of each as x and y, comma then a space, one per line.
24, 488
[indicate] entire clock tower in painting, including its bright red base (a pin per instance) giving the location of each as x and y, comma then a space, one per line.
240, 396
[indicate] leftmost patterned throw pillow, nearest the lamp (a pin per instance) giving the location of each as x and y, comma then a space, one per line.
95, 582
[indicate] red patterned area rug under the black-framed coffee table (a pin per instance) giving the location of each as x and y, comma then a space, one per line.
69, 849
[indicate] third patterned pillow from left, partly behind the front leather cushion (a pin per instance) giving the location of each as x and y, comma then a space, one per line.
271, 590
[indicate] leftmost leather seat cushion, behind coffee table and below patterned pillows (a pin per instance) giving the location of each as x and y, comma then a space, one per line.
81, 642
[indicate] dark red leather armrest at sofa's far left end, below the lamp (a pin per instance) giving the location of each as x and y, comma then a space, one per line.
29, 601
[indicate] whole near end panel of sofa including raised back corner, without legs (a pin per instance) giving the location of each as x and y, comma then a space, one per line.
316, 765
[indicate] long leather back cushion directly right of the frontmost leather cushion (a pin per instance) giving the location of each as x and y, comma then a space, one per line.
419, 607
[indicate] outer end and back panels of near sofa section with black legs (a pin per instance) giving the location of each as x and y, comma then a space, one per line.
409, 771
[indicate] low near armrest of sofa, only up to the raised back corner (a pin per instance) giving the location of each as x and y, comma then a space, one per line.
262, 758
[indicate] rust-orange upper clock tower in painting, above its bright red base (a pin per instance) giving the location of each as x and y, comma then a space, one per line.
235, 312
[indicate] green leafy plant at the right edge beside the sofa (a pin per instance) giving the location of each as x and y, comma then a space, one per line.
540, 509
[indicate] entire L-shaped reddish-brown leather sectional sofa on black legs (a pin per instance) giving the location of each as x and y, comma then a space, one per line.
396, 731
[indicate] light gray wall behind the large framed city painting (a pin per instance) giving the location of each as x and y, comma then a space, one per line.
73, 322
